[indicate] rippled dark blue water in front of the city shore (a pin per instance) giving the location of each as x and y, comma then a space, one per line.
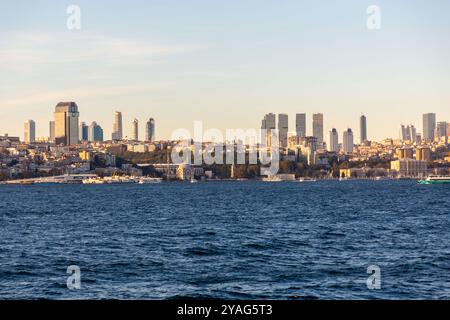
246, 240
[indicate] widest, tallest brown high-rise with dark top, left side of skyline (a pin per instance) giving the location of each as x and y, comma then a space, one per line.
66, 123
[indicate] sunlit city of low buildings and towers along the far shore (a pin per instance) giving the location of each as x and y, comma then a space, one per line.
81, 148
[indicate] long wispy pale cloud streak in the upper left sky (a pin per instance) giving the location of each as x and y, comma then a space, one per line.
34, 49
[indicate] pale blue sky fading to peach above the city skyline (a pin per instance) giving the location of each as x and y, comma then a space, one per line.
225, 63
